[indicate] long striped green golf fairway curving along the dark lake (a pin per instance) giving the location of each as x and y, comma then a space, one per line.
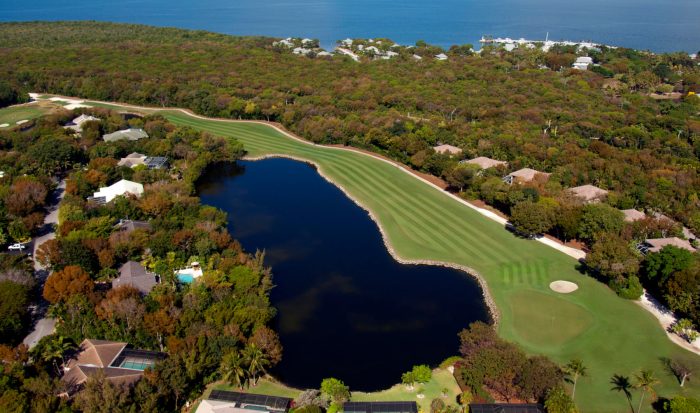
611, 335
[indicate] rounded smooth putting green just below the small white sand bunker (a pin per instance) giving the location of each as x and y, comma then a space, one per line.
543, 320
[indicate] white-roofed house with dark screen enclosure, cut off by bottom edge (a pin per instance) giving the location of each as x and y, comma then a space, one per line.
220, 401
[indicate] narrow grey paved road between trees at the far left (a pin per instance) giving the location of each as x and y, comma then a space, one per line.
44, 325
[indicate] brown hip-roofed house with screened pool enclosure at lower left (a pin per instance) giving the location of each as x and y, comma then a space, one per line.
119, 364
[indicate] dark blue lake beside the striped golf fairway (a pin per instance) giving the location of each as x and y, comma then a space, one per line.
346, 308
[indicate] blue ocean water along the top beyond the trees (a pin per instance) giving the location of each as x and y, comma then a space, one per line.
657, 25
